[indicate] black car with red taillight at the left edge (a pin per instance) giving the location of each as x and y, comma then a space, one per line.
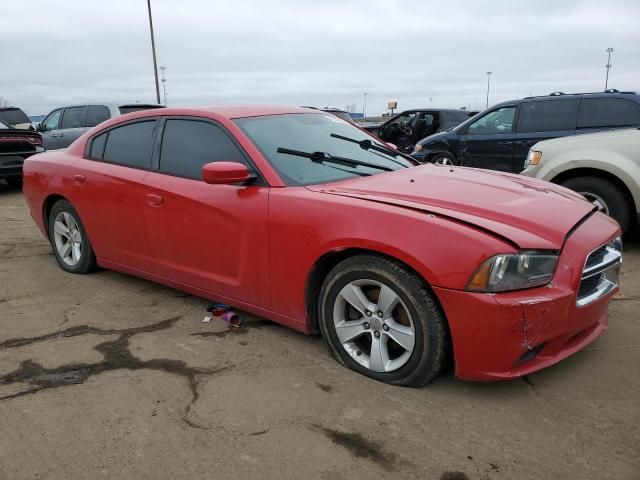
16, 145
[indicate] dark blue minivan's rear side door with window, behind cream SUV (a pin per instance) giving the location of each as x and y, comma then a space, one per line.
541, 120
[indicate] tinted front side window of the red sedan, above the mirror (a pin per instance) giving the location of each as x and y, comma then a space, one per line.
189, 144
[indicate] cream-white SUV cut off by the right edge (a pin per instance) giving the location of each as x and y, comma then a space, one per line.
604, 167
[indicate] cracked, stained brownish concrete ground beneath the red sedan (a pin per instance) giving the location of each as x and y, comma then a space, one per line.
110, 376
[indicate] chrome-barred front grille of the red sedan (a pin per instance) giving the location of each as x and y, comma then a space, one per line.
600, 273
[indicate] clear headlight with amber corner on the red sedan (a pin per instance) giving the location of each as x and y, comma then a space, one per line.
513, 271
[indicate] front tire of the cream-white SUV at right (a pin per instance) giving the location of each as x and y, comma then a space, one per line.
604, 194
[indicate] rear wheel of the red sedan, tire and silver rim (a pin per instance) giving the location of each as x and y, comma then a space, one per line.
72, 247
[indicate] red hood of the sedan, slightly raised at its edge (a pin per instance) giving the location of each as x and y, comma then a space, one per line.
528, 213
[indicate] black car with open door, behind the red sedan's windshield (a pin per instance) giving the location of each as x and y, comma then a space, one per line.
406, 128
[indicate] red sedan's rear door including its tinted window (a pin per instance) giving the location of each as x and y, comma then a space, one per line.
110, 195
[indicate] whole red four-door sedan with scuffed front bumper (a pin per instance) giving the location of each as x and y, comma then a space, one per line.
302, 218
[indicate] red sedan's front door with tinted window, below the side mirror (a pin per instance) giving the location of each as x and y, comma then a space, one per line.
213, 237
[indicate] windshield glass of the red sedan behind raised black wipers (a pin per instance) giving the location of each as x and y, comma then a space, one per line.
311, 132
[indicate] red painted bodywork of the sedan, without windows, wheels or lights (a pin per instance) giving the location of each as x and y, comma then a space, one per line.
255, 246
